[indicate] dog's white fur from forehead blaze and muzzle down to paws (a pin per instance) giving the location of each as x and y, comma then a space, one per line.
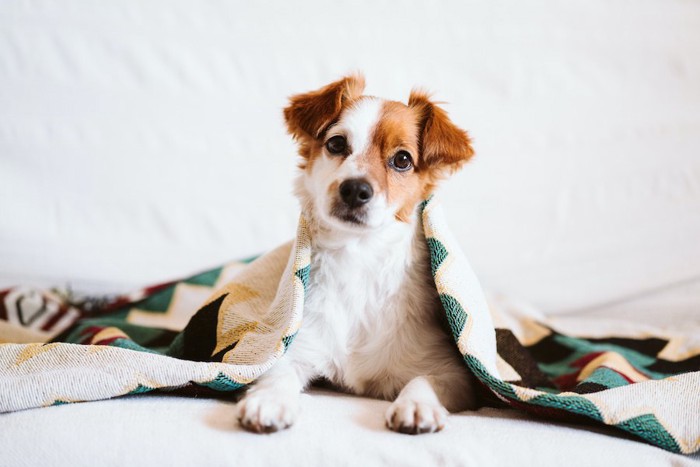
372, 318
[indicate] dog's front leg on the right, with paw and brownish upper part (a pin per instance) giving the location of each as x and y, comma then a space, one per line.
420, 406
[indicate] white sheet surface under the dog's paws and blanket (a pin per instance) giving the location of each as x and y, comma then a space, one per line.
333, 429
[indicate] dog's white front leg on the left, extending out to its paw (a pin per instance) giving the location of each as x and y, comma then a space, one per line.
272, 403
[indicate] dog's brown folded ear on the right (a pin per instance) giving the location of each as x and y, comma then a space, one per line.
442, 143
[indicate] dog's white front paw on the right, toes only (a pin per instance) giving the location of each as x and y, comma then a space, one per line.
413, 417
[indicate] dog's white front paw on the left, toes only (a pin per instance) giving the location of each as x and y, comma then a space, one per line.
266, 413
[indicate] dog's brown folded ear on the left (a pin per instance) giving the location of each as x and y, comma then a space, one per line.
309, 114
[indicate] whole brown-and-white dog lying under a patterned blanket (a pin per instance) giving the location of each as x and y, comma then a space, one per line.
373, 322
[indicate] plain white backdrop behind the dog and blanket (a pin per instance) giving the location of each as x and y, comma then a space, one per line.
141, 141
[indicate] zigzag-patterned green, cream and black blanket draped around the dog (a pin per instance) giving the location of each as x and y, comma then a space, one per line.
55, 351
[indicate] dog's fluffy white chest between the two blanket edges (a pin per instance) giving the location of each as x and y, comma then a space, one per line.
364, 307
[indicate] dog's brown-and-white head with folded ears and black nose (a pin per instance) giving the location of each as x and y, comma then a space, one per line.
368, 162
